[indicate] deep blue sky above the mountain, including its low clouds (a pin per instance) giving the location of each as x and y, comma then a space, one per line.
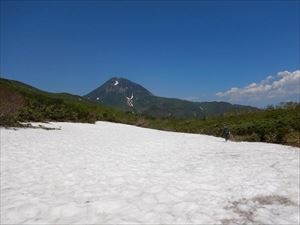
196, 50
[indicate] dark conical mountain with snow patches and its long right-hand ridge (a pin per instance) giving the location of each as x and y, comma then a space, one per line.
130, 96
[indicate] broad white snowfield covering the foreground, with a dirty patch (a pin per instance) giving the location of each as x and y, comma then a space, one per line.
118, 174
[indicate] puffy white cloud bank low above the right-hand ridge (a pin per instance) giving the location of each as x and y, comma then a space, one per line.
282, 86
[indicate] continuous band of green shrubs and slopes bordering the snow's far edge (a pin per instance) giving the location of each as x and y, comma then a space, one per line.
23, 103
